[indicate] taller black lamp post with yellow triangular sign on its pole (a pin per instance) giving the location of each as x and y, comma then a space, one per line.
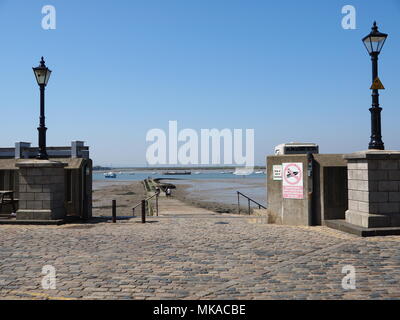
374, 43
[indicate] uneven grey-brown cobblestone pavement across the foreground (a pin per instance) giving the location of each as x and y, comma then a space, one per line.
195, 257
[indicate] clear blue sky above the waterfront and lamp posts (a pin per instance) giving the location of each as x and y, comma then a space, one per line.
120, 68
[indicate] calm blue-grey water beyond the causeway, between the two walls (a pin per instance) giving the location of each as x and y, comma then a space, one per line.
211, 185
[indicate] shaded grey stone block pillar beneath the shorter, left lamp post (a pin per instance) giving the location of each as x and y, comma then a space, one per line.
41, 190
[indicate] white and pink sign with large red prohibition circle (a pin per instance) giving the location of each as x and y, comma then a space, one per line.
292, 185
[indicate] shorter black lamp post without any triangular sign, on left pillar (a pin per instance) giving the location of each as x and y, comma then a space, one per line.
42, 74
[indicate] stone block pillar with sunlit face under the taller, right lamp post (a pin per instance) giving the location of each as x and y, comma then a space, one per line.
374, 185
